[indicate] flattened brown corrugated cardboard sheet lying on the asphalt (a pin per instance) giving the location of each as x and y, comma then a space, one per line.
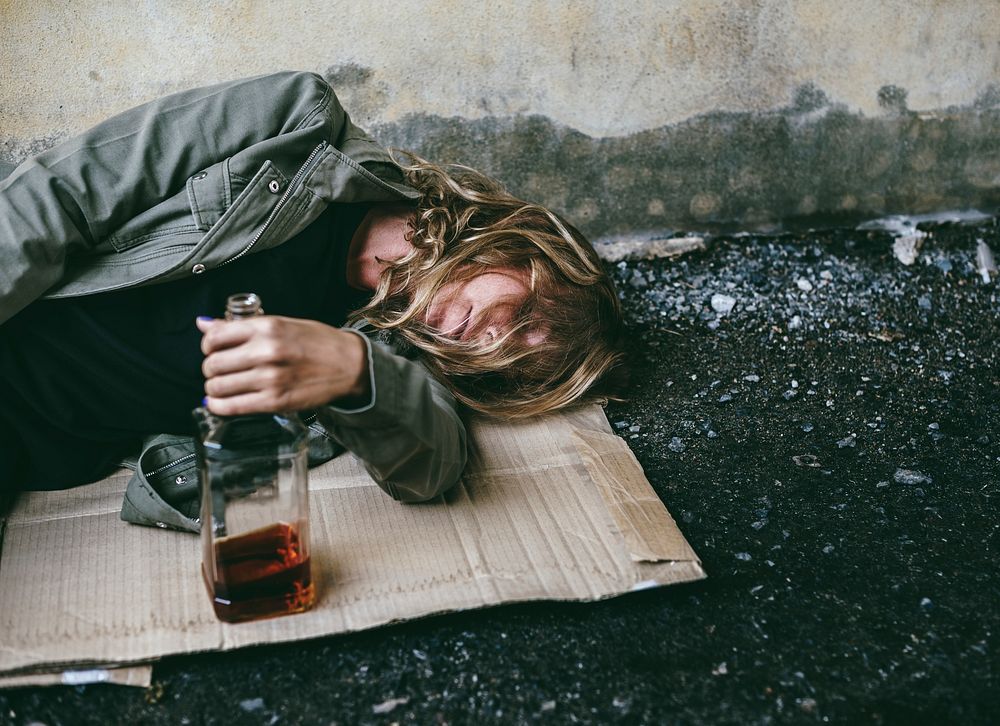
557, 508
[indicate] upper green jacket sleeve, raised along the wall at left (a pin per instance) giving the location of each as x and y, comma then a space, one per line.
67, 200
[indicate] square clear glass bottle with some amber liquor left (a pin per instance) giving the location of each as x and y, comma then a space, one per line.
254, 506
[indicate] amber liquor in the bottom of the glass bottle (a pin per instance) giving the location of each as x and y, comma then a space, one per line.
261, 574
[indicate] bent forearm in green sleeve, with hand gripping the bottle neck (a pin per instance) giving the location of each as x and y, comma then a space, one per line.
387, 410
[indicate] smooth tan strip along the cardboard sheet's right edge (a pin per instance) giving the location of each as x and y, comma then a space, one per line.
650, 533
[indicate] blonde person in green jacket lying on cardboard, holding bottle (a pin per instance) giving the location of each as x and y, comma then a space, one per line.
398, 296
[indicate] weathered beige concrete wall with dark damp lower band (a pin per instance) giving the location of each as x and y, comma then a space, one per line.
628, 115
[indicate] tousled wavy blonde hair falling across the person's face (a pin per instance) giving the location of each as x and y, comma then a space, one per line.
467, 224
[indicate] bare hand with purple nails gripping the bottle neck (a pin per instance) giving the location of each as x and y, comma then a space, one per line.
271, 363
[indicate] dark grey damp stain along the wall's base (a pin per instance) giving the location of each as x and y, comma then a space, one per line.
814, 162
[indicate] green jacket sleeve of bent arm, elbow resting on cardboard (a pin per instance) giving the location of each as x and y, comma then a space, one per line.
409, 435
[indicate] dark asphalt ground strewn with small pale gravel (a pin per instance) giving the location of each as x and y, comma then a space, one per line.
824, 424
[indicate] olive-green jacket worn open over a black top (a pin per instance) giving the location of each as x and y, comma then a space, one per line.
196, 180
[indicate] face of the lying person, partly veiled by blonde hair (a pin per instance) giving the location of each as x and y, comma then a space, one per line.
482, 307
